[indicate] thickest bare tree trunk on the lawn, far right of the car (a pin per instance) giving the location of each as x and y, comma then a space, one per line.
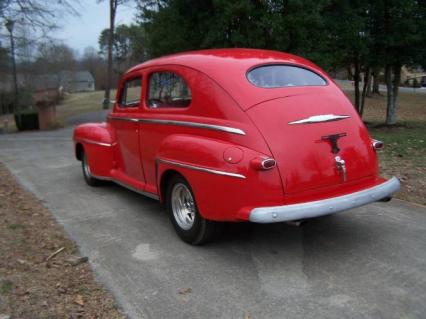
393, 78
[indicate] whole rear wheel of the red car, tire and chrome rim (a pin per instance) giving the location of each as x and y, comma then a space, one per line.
186, 219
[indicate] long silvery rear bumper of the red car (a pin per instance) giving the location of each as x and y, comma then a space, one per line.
327, 206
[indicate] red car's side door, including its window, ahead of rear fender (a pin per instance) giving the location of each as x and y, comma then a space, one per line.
124, 120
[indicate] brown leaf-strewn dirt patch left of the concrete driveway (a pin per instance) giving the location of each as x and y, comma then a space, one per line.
42, 274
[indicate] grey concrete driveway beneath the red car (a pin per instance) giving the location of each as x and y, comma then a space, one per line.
365, 263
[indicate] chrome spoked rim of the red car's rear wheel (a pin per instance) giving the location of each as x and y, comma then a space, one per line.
183, 206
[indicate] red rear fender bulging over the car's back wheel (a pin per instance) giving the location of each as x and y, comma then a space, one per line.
220, 174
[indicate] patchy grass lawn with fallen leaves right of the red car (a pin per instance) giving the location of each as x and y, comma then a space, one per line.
404, 155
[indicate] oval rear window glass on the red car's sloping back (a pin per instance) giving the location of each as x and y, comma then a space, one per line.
277, 76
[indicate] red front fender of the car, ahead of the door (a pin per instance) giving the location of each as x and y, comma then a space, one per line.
96, 139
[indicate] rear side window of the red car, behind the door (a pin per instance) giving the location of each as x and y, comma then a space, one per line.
167, 89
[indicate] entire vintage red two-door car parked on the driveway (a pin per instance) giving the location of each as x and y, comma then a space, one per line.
234, 135
